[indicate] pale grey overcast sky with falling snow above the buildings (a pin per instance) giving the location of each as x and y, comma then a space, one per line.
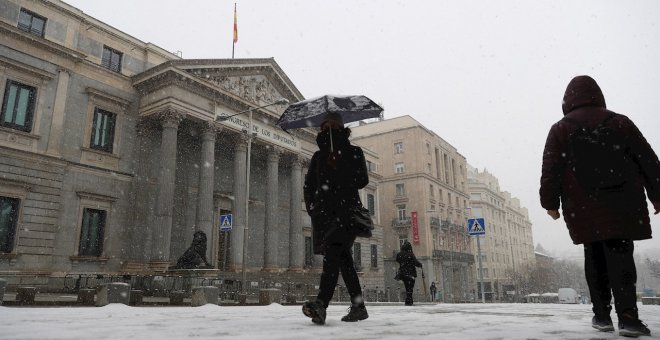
487, 76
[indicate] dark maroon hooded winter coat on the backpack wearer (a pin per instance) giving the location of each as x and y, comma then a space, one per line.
620, 214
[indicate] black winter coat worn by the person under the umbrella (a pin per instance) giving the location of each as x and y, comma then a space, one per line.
331, 187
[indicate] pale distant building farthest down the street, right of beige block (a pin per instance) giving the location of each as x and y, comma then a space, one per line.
507, 247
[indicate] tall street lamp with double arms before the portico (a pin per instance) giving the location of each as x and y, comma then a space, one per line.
250, 134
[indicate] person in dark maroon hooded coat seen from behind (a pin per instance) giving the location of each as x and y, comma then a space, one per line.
606, 222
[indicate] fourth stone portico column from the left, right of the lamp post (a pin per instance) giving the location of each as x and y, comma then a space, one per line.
271, 239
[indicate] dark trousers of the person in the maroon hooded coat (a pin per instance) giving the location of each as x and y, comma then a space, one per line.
610, 269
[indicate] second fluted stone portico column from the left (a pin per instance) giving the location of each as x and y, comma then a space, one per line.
204, 221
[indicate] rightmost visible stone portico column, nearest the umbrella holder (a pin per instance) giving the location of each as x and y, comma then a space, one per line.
296, 238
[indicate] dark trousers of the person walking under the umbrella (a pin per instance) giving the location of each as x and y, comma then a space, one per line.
338, 257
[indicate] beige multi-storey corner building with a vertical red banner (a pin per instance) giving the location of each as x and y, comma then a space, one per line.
424, 200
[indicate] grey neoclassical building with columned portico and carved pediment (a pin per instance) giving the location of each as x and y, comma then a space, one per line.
113, 152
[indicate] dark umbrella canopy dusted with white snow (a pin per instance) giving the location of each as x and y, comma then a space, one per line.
311, 112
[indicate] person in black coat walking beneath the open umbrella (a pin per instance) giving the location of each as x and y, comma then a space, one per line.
336, 172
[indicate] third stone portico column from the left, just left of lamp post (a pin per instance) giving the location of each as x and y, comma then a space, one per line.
238, 205
